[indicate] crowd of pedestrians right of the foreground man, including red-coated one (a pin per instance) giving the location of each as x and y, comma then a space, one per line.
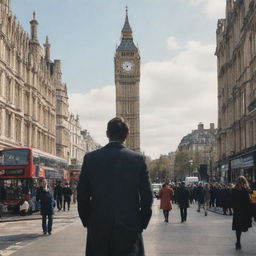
237, 199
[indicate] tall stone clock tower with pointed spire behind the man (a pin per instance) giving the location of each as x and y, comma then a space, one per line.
127, 81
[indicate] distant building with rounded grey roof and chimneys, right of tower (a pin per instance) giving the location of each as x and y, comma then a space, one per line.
201, 149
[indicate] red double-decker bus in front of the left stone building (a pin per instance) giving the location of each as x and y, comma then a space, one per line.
20, 169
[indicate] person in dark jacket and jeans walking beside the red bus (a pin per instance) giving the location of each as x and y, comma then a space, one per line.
44, 196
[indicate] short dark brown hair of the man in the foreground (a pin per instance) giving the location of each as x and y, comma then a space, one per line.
117, 129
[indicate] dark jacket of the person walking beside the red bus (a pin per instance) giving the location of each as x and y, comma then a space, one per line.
45, 198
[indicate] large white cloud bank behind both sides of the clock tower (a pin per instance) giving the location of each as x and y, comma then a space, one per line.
176, 94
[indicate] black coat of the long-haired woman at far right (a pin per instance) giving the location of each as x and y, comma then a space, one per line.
242, 211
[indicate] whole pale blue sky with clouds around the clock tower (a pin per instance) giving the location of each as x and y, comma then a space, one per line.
177, 41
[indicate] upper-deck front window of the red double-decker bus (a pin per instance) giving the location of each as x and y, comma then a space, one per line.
14, 157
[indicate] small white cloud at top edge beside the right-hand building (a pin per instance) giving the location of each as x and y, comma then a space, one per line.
212, 8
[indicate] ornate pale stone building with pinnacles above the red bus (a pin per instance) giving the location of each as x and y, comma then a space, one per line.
30, 88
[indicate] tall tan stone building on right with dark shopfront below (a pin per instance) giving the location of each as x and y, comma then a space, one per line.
236, 53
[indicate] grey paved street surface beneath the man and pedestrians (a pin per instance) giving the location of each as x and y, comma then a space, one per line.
211, 235
